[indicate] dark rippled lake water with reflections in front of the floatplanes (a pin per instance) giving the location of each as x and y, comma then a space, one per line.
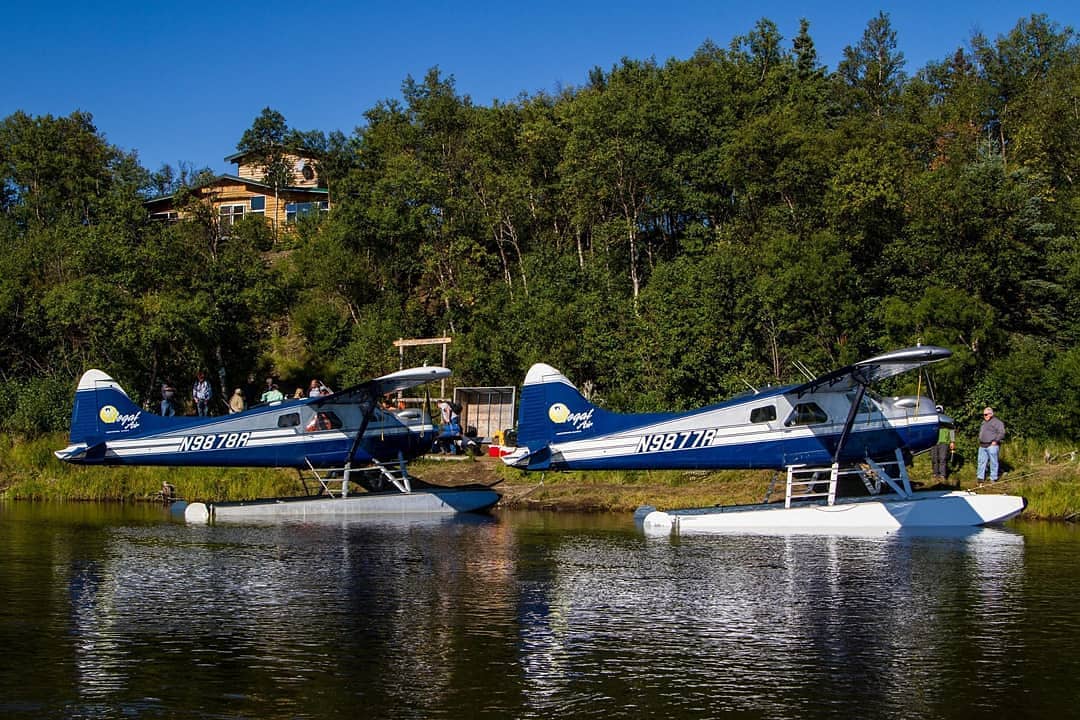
114, 612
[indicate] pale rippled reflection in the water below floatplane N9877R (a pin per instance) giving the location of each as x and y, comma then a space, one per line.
688, 622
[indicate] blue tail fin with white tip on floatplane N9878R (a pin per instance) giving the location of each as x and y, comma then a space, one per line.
103, 411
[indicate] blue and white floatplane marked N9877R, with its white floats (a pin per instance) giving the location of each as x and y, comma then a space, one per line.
818, 432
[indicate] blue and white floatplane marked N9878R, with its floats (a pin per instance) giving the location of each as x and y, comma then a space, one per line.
346, 433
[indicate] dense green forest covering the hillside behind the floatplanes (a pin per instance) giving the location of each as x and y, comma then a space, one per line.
665, 235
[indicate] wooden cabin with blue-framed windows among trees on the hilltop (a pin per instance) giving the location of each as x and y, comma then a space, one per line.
235, 197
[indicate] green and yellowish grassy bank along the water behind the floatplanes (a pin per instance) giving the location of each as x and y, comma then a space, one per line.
1048, 476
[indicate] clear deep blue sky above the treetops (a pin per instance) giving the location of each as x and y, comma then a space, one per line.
181, 83
